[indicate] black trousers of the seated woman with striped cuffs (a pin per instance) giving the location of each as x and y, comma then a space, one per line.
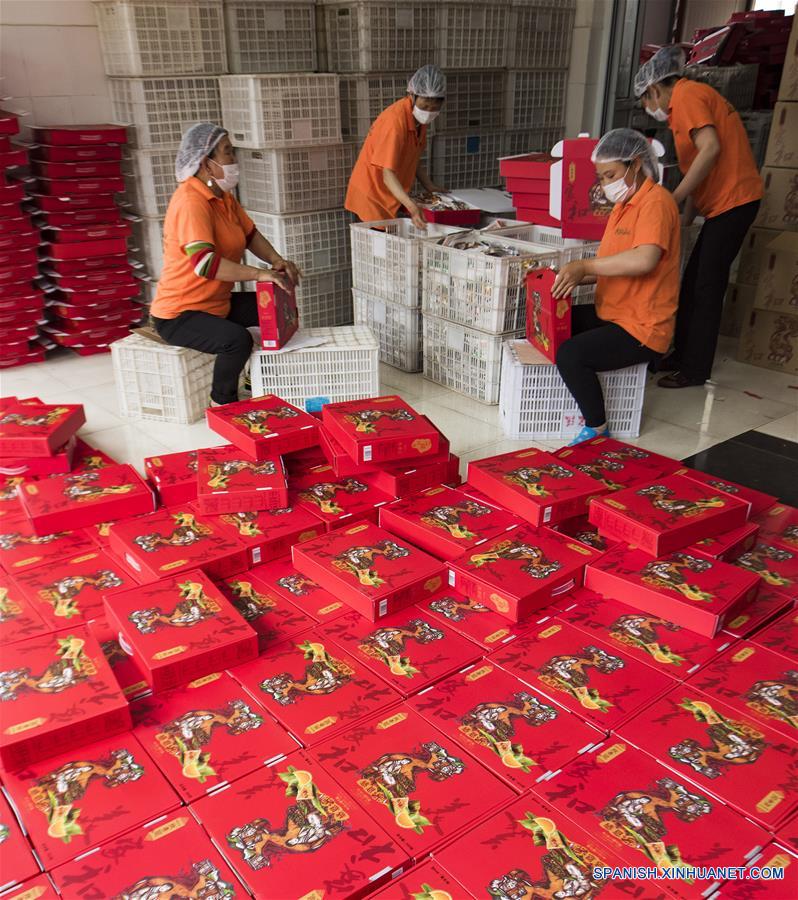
227, 338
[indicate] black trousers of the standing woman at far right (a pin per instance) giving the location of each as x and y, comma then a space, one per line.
704, 284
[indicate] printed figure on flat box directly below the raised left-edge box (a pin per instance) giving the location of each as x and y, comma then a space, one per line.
56, 793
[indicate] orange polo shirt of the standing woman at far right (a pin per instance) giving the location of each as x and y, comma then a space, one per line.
734, 179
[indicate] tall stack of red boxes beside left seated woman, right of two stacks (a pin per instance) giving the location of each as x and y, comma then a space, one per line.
91, 288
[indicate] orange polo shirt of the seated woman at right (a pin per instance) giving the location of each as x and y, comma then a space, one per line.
644, 305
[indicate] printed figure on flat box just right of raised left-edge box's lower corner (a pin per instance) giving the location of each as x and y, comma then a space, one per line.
186, 736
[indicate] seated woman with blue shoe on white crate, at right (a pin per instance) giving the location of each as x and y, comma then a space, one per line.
636, 273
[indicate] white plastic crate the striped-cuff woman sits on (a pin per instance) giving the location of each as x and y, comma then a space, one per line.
160, 382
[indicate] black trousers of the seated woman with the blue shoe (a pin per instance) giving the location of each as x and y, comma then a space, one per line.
596, 346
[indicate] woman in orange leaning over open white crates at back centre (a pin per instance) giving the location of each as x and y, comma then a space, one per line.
389, 161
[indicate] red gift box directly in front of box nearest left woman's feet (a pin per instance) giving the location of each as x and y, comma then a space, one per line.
228, 481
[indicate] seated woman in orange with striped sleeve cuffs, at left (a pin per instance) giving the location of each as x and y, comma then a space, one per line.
205, 234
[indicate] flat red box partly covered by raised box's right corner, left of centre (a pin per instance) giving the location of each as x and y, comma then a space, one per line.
274, 618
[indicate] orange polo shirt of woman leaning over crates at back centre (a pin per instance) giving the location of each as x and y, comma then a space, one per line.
393, 142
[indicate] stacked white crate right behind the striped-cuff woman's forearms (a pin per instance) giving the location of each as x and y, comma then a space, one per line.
315, 241
